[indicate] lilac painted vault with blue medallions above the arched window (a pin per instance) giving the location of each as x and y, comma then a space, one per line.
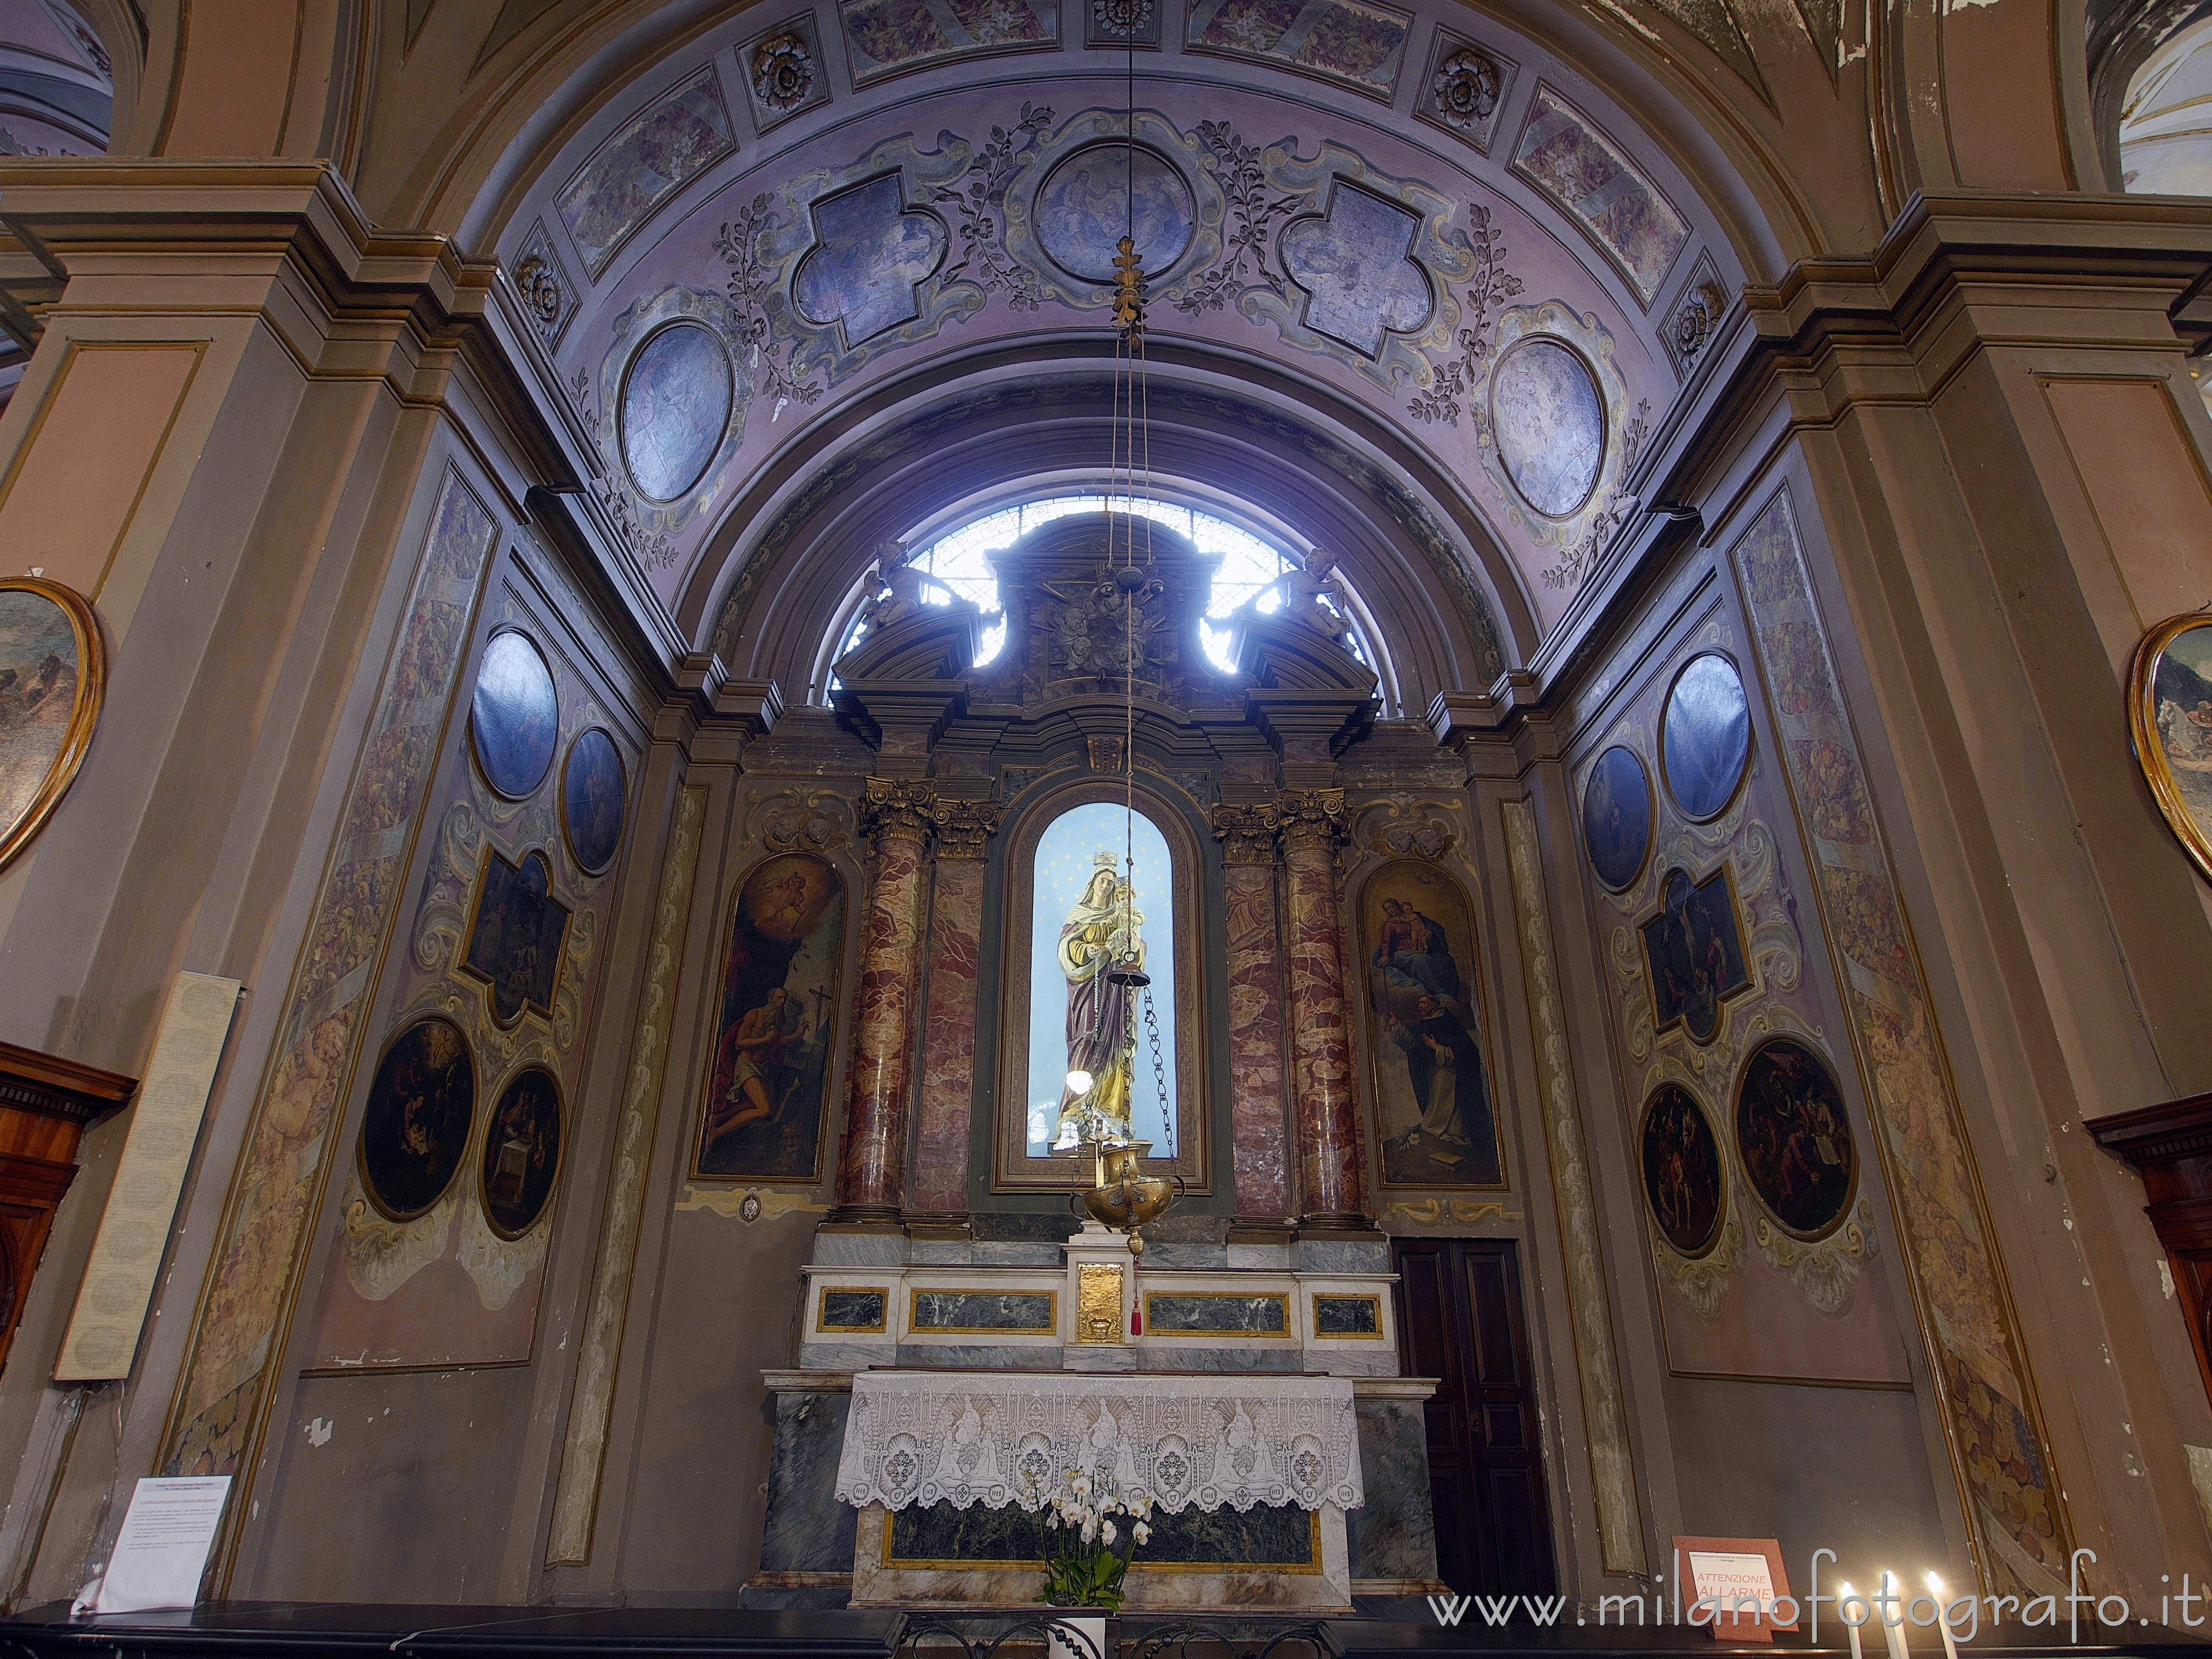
1488, 280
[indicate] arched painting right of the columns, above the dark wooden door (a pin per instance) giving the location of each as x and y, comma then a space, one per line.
1426, 1021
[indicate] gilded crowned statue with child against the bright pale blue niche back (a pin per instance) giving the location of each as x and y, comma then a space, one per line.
1103, 890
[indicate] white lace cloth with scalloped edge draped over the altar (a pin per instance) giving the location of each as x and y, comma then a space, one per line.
1016, 1439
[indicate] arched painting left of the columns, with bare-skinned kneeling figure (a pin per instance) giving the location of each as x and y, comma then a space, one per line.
780, 997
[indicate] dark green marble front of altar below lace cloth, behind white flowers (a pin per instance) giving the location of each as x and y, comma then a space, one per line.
1284, 1541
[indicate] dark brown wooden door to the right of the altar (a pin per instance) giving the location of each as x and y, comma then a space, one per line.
1461, 1322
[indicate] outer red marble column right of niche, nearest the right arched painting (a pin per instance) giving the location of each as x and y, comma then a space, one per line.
1333, 1189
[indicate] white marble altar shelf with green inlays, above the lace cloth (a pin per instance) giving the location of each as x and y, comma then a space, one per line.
977, 1315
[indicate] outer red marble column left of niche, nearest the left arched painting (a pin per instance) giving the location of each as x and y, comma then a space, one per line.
870, 1180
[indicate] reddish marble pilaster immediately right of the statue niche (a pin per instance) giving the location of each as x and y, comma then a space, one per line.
1260, 1138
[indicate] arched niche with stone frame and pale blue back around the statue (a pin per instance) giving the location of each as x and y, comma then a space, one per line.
1027, 930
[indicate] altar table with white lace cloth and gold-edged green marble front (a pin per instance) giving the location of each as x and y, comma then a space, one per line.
1249, 1477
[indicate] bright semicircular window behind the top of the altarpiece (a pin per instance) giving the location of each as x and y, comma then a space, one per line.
959, 565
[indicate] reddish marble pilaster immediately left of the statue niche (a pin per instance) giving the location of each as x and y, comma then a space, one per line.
948, 1087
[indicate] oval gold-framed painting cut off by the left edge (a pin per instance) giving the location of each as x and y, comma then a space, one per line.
28, 627
